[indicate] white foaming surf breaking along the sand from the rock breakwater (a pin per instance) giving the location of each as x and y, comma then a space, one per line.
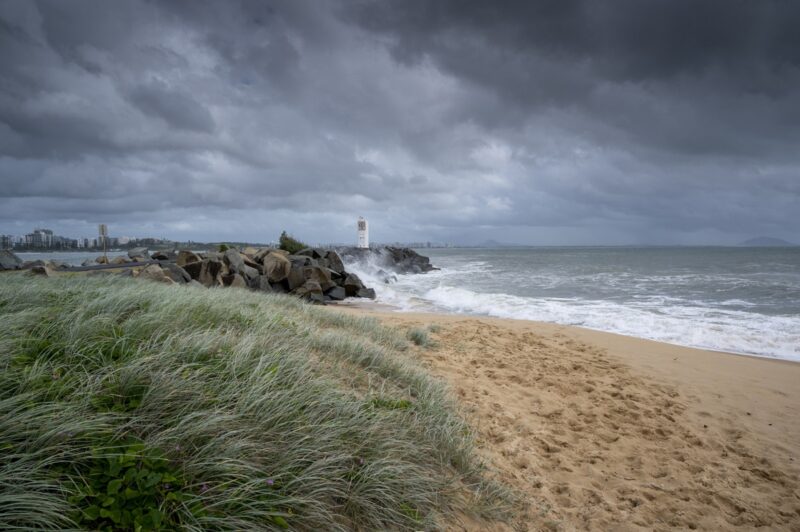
728, 327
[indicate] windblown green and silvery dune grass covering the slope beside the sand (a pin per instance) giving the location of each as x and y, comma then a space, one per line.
133, 405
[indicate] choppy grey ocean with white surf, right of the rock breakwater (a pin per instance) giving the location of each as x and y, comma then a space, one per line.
739, 300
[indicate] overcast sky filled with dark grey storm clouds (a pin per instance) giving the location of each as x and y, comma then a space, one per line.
554, 122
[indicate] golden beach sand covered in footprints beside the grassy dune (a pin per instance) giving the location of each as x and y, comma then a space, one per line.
600, 431
